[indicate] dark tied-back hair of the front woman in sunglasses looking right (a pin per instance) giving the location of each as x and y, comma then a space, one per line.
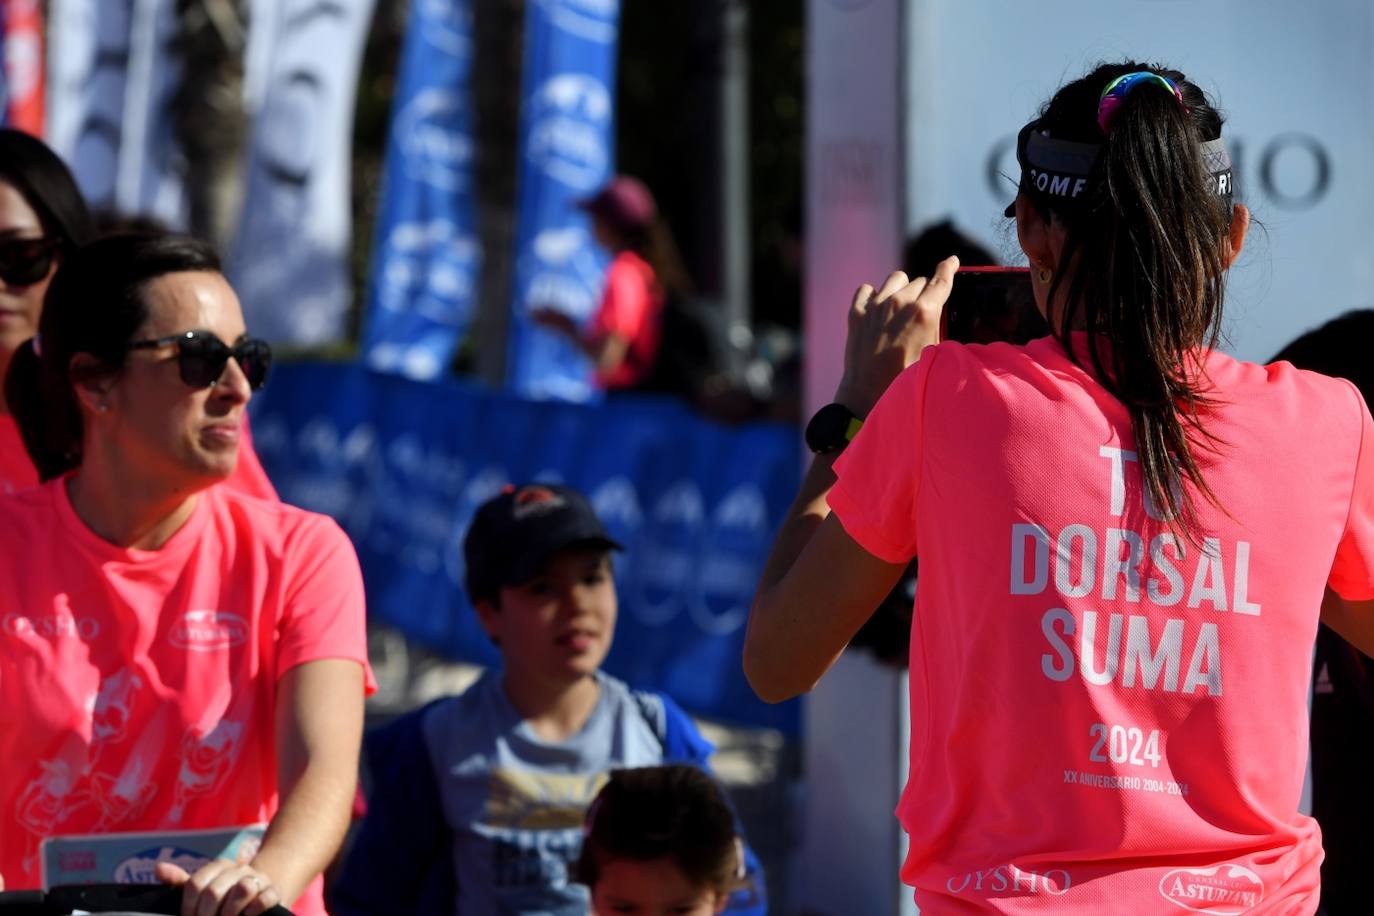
95, 307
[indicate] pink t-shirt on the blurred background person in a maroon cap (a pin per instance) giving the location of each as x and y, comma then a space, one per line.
631, 308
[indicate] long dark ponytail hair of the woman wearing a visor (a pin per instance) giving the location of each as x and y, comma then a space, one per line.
1148, 247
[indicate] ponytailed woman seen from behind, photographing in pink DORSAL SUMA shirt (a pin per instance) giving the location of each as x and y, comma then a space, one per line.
1126, 540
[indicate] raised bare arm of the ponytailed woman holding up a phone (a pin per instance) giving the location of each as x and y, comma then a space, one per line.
820, 584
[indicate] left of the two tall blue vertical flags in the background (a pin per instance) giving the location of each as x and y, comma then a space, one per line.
428, 256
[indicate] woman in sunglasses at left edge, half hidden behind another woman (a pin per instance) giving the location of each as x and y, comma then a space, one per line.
43, 220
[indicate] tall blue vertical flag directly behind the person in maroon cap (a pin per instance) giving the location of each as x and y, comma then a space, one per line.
567, 153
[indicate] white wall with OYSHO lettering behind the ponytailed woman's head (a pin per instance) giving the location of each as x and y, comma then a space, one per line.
1292, 78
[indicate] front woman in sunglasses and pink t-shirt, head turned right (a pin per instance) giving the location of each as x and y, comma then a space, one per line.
175, 656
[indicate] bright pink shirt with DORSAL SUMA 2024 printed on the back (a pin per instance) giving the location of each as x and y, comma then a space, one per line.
1105, 719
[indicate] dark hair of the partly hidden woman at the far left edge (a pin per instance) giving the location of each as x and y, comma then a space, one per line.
47, 186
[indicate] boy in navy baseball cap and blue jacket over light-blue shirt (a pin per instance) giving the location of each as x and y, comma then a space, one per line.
480, 799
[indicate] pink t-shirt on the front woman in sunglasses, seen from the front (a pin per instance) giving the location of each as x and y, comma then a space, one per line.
138, 687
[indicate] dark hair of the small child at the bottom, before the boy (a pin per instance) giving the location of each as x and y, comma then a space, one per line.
673, 812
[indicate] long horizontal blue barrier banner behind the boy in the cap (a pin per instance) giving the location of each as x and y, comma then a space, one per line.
403, 466
